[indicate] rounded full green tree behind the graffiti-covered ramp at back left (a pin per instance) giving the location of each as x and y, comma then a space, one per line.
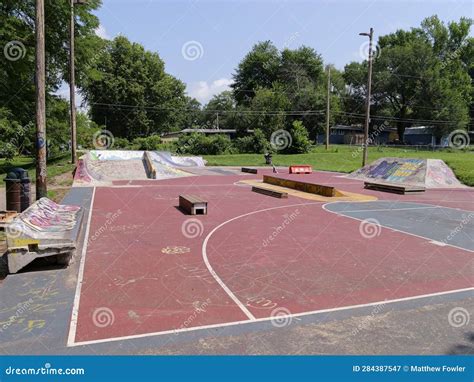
130, 93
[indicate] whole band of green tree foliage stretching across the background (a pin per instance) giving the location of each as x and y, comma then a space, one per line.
421, 76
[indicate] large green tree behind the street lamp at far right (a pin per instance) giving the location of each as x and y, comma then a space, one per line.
421, 74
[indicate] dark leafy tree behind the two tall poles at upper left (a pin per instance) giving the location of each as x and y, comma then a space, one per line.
17, 39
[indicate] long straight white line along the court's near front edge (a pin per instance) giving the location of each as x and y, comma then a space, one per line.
236, 323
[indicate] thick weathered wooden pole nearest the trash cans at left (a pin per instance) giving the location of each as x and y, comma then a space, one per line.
40, 78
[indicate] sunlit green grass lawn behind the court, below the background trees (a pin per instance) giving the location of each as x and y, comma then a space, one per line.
343, 158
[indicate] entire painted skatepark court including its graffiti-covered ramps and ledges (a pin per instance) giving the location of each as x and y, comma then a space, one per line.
270, 252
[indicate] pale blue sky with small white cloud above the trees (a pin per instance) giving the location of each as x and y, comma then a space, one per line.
202, 41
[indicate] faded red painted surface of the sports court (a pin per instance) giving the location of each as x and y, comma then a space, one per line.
318, 260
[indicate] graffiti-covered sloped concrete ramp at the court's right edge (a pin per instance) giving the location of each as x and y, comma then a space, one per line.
428, 173
